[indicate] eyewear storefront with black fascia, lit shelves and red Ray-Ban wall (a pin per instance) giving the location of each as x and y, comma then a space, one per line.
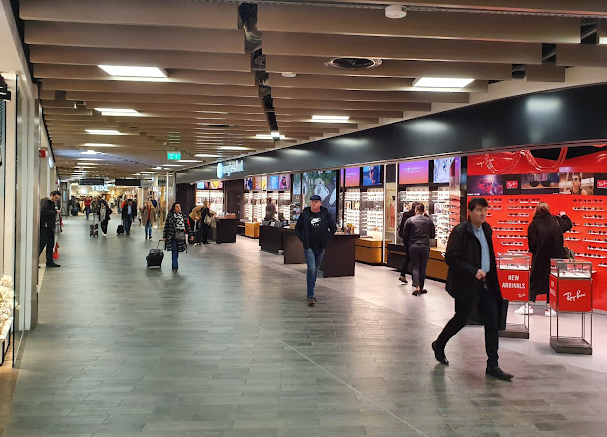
442, 158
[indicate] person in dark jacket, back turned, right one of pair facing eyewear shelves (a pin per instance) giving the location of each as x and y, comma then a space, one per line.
419, 229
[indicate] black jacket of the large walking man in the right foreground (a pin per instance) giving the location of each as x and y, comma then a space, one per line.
463, 256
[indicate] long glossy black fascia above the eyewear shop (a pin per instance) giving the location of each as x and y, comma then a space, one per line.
570, 115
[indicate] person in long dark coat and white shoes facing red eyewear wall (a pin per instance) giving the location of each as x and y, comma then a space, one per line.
545, 237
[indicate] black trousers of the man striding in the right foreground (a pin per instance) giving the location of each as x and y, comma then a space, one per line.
487, 304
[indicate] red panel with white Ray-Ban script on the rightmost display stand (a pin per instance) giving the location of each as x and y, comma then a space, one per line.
573, 295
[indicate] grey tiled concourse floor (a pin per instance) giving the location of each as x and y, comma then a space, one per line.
227, 347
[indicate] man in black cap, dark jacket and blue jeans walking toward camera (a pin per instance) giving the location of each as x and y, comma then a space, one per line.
315, 227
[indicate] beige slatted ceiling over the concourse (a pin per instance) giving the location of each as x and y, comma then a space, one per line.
226, 65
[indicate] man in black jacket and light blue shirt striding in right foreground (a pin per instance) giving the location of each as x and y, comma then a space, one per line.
472, 281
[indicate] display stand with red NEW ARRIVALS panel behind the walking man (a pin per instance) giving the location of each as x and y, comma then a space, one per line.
513, 277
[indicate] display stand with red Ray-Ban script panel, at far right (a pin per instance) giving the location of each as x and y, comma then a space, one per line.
571, 292
